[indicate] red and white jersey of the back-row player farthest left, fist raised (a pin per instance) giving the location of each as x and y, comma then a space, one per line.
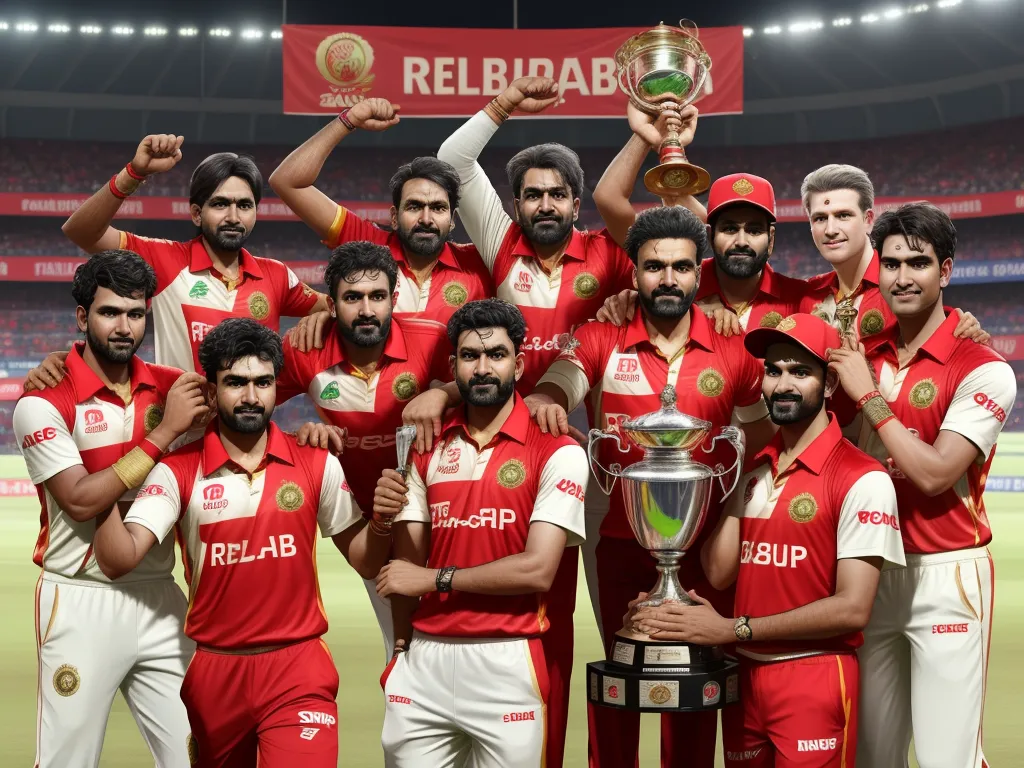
193, 297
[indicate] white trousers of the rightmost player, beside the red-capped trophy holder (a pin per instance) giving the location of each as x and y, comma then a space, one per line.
924, 663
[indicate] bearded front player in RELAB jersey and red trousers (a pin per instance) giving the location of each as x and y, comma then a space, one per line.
248, 500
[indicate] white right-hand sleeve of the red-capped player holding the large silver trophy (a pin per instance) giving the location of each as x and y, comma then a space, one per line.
869, 523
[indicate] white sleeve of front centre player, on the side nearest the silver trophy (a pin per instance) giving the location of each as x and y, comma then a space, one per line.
562, 493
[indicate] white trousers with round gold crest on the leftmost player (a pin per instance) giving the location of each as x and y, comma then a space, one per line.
97, 638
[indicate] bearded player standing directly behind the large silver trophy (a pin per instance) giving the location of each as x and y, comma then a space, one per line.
620, 373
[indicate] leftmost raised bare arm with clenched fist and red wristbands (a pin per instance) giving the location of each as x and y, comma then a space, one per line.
90, 228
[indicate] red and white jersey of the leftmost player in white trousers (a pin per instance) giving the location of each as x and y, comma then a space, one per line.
81, 422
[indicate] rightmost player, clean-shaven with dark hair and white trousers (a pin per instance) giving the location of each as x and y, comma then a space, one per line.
931, 408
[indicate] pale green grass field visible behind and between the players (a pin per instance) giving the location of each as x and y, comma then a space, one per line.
356, 644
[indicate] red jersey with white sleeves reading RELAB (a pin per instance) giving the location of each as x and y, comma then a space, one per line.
250, 542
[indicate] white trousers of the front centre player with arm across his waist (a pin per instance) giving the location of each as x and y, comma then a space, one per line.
465, 702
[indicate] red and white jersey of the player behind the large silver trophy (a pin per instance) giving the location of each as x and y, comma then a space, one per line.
624, 373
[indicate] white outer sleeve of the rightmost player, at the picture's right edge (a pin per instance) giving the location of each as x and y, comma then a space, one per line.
982, 404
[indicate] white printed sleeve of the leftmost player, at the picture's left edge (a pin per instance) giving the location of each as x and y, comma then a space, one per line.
48, 446
